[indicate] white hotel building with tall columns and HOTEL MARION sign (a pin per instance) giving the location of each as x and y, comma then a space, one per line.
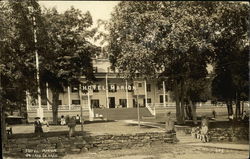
121, 94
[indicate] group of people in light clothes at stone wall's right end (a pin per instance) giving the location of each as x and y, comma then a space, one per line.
201, 132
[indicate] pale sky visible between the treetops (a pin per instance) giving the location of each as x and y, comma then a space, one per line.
98, 9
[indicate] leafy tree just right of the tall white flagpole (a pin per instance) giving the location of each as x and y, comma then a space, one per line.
68, 51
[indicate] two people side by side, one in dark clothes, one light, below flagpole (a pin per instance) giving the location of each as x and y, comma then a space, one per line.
41, 126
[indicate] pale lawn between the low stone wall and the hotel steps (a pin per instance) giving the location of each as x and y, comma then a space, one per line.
93, 128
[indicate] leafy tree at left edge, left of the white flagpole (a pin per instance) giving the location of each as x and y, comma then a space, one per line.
17, 58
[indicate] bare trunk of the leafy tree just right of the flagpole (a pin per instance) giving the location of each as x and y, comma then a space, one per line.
55, 99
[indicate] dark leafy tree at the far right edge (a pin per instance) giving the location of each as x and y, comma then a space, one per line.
231, 48
